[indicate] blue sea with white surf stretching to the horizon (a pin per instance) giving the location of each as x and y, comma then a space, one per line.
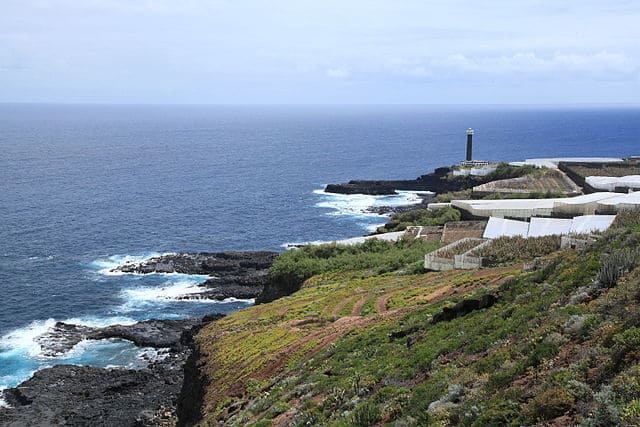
84, 188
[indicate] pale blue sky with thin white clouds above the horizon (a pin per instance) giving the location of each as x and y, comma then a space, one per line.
320, 52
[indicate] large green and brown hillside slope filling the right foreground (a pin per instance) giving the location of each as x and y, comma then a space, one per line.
559, 347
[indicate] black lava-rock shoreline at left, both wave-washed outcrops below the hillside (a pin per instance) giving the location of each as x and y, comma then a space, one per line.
166, 391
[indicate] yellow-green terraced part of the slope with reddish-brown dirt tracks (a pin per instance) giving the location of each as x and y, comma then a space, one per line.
251, 349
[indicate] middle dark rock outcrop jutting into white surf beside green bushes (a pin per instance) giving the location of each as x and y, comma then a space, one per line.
242, 275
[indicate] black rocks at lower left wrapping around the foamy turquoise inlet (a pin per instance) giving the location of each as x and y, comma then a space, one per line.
79, 395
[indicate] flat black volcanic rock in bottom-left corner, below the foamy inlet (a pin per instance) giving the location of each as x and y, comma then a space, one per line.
86, 396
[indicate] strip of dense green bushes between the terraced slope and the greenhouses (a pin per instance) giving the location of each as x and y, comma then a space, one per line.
295, 266
